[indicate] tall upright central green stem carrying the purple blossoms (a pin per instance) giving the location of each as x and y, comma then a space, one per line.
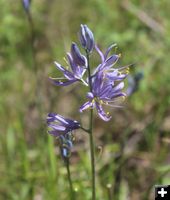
92, 152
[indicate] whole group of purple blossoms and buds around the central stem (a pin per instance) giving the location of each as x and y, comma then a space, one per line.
105, 84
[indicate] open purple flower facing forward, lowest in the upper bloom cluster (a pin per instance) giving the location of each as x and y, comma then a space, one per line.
104, 92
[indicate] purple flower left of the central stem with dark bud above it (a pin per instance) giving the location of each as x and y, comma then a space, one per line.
78, 65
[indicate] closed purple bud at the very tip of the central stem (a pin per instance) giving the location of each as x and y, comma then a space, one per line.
86, 38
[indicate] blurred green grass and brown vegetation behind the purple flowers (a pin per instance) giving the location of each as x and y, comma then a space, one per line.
132, 150
